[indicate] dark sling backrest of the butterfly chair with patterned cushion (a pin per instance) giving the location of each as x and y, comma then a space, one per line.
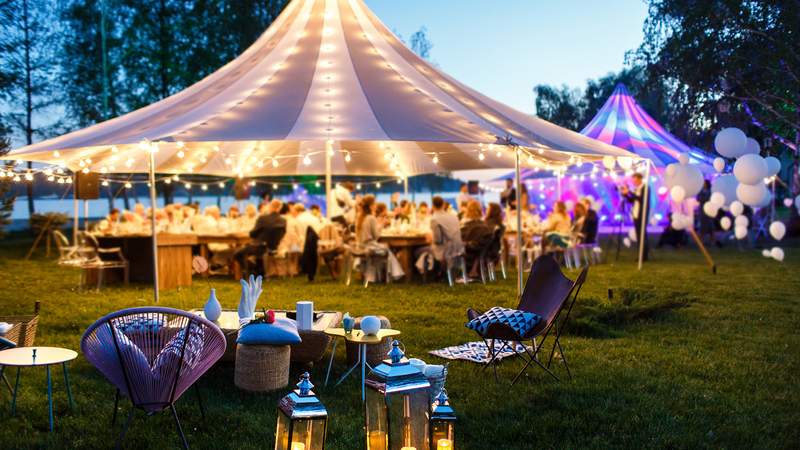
547, 289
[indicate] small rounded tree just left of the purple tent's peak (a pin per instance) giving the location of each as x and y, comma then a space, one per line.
563, 106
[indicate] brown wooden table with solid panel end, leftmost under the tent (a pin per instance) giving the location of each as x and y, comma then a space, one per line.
174, 257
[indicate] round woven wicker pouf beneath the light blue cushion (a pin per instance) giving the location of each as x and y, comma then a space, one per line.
262, 368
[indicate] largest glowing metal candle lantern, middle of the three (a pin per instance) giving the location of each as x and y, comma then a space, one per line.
397, 405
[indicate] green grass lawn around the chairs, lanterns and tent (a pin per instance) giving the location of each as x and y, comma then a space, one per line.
680, 358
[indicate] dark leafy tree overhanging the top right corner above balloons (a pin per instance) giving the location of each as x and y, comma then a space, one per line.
719, 52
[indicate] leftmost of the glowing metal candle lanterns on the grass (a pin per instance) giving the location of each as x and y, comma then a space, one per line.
302, 419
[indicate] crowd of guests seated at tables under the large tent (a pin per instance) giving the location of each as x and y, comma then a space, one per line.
465, 228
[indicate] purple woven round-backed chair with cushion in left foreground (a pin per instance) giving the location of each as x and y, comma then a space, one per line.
152, 356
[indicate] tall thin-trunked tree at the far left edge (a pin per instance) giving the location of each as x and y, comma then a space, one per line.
27, 41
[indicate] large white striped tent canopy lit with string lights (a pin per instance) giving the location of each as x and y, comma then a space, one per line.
326, 70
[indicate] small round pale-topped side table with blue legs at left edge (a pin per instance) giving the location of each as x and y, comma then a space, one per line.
39, 357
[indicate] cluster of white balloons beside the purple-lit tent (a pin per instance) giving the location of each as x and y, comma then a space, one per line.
746, 185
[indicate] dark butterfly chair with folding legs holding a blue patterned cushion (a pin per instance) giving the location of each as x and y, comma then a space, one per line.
547, 293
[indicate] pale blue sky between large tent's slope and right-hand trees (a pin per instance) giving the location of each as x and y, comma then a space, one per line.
504, 48
